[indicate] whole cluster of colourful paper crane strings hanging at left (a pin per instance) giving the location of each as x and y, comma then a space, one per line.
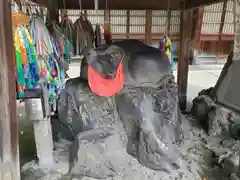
37, 57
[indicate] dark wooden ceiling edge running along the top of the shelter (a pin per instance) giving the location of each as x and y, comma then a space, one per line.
128, 4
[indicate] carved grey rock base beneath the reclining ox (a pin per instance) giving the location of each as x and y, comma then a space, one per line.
147, 121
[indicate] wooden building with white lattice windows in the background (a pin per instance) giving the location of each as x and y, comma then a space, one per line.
215, 22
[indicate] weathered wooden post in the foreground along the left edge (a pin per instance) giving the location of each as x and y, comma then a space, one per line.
9, 147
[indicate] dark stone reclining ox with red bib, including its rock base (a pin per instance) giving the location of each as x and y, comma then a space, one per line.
126, 99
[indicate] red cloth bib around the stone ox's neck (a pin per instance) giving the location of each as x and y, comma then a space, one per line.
106, 87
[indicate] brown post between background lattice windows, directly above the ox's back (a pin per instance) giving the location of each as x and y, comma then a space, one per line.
148, 27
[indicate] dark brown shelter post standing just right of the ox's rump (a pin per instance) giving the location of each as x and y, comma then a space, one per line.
184, 55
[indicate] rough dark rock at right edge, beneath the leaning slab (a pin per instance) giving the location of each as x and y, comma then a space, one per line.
220, 124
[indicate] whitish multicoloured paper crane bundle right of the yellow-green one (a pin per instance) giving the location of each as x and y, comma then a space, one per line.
49, 49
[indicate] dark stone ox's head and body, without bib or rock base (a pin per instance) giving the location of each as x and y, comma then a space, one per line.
143, 66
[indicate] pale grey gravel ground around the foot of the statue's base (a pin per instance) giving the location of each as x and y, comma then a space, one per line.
194, 158
